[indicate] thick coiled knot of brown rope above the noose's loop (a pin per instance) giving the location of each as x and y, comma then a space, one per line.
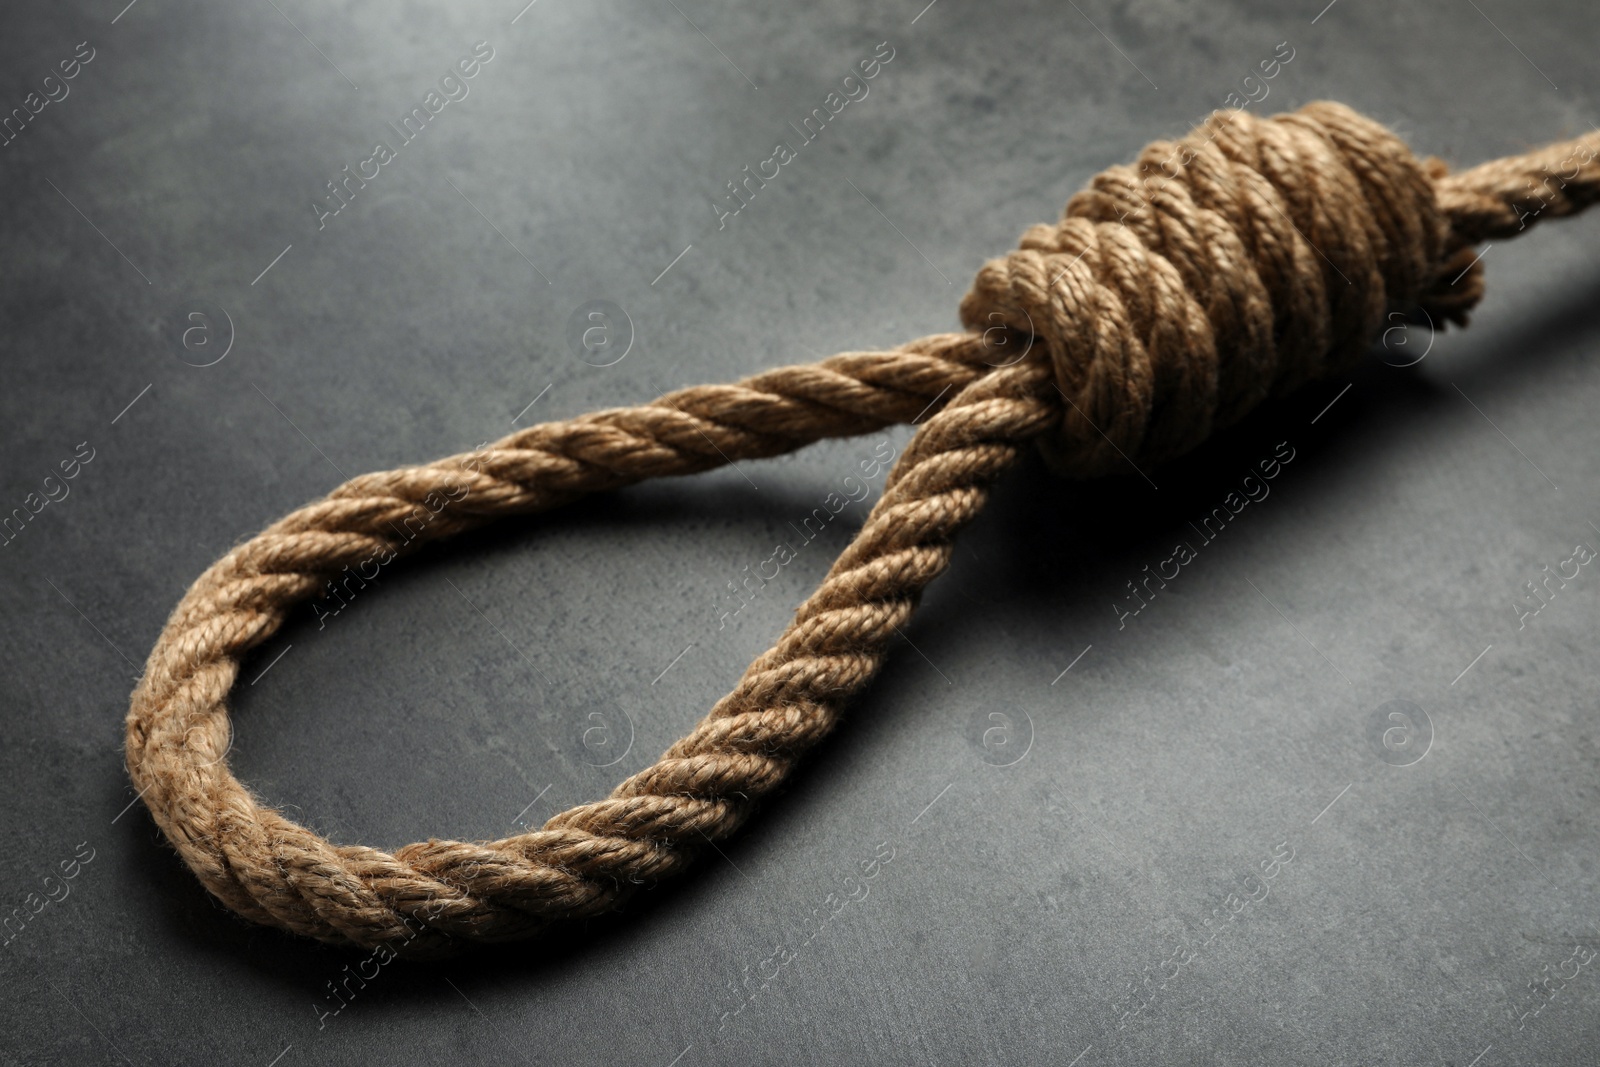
1238, 263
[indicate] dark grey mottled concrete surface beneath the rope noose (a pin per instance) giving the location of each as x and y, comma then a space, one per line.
1066, 845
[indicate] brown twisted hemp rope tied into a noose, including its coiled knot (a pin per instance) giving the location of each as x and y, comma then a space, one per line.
1172, 298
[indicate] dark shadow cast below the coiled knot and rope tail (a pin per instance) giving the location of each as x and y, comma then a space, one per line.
1044, 540
